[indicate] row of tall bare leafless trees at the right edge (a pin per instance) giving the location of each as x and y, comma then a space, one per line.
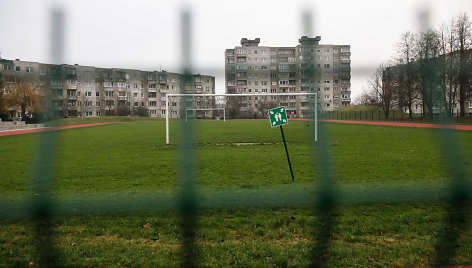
431, 70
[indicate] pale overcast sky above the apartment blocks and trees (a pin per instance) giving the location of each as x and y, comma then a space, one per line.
146, 35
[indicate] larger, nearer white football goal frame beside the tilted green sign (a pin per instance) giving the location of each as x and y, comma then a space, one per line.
241, 95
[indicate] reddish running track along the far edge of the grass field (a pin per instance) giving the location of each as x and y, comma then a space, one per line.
397, 124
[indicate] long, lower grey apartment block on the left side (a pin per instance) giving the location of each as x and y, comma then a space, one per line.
77, 90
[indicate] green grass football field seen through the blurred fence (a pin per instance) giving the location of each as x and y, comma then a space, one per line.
244, 159
